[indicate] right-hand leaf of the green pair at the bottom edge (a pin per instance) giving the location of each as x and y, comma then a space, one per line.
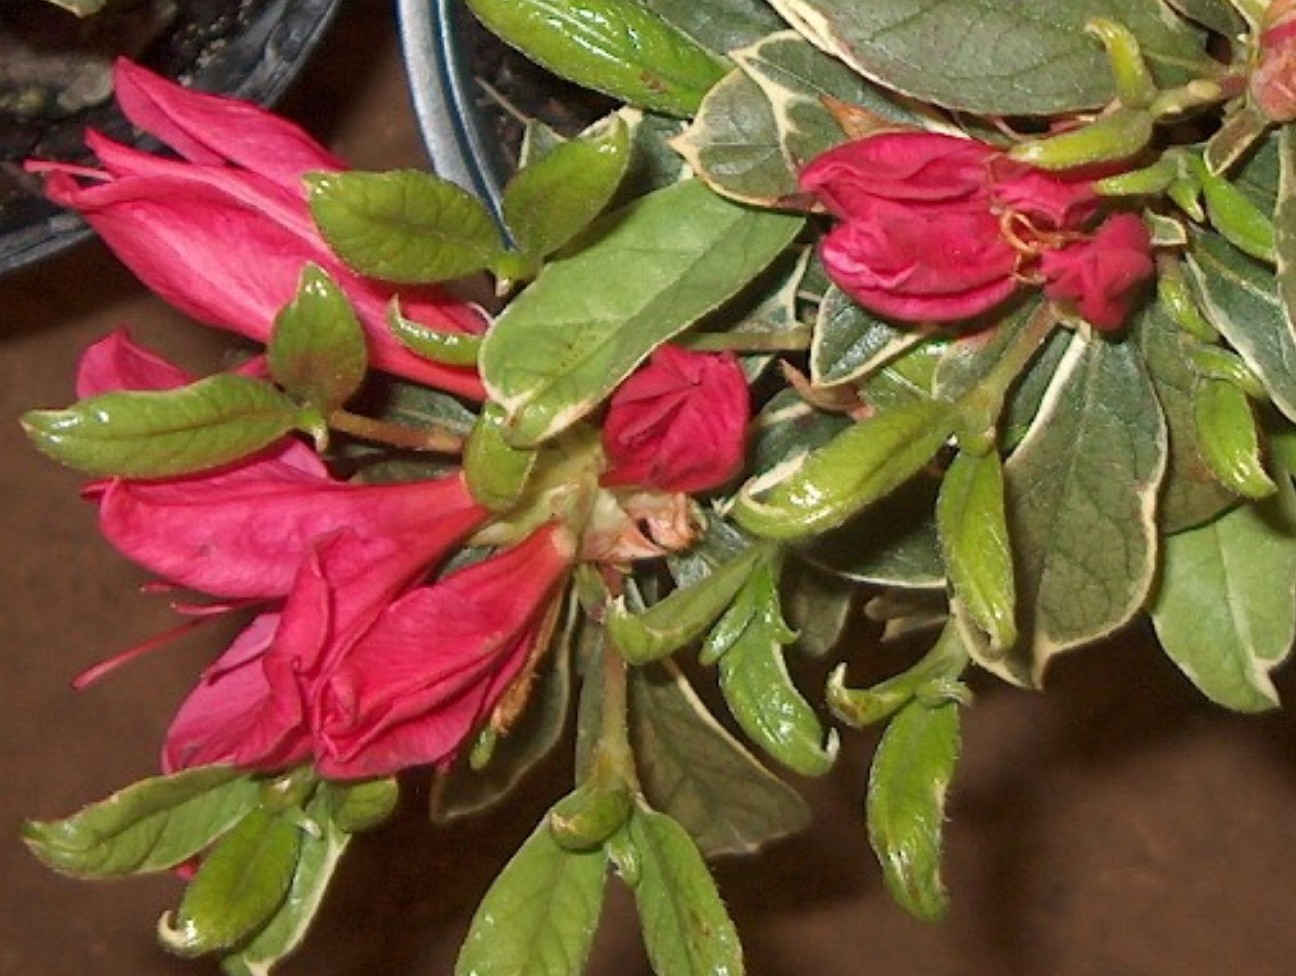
688, 930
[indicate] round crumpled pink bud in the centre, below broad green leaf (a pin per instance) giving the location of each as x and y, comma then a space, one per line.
680, 424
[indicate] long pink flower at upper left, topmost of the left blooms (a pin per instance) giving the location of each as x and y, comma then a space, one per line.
225, 234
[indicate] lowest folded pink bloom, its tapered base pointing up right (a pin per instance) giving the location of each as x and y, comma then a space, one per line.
366, 686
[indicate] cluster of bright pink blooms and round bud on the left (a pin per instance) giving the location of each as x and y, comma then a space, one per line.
354, 663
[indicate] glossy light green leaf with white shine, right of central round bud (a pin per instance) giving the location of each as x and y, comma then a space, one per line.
857, 469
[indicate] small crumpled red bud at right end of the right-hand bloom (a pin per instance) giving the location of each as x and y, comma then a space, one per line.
1101, 275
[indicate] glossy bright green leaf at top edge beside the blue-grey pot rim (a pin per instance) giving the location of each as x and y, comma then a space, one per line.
618, 47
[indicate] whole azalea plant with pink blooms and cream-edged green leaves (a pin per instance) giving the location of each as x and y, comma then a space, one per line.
993, 340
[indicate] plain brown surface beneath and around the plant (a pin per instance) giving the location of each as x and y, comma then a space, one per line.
1117, 826
